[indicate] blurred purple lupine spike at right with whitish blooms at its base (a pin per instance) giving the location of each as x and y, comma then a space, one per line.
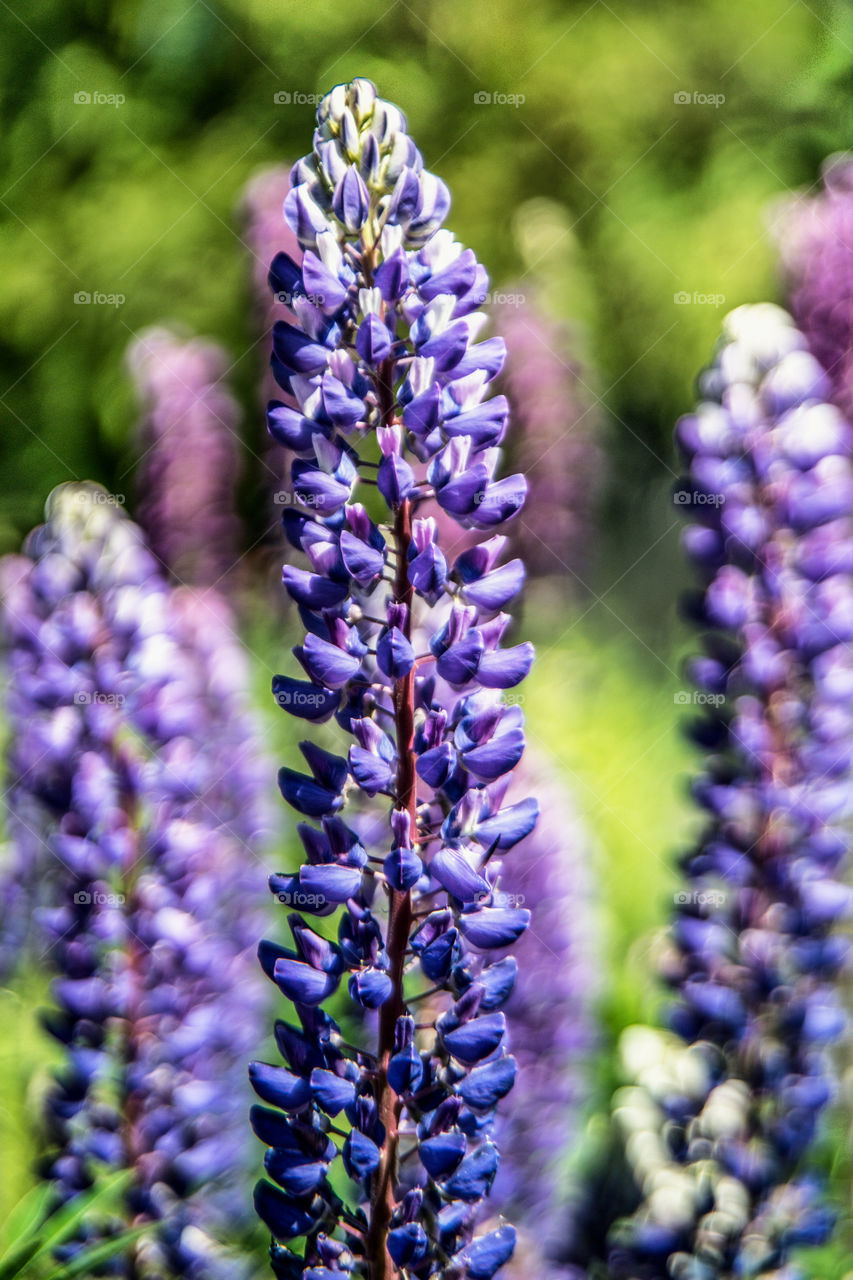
755, 957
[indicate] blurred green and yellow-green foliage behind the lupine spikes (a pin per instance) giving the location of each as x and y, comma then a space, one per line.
601, 186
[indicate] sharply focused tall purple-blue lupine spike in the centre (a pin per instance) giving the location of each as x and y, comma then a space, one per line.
390, 381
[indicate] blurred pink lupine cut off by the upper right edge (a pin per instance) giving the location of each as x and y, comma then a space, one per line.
816, 246
